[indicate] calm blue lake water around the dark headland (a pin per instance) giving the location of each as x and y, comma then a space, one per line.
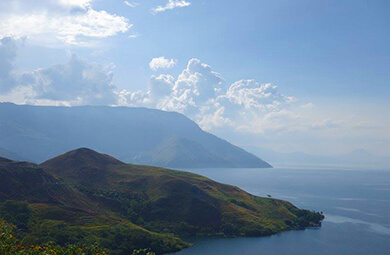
356, 204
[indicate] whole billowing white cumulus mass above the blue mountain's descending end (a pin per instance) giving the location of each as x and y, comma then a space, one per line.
201, 93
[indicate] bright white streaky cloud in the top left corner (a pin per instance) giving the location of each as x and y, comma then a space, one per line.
51, 22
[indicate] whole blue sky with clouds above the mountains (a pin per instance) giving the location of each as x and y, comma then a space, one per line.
287, 75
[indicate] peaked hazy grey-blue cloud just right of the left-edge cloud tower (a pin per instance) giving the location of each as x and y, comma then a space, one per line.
78, 82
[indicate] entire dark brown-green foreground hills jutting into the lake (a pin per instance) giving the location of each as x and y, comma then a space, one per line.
85, 196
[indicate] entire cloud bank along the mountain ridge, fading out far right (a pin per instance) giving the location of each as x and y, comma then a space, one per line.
247, 108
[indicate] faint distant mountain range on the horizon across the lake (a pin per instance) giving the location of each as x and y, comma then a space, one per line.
356, 158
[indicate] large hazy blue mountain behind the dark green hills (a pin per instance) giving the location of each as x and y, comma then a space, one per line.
136, 135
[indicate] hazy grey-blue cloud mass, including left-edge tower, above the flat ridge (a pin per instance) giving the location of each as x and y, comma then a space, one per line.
77, 82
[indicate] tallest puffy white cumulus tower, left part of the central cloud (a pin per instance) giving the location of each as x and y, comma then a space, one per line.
188, 93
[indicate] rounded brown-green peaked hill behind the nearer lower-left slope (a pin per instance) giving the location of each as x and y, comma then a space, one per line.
164, 197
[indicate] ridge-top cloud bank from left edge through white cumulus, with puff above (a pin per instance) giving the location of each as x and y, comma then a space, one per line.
198, 91
